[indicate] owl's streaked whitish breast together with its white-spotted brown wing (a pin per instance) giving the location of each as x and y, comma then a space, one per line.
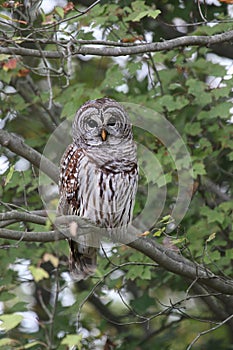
108, 192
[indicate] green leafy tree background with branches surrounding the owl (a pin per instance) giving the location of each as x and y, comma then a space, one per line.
170, 63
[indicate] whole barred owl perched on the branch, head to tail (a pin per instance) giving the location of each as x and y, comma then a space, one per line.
98, 177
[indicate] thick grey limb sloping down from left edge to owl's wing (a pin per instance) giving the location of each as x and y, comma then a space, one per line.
18, 146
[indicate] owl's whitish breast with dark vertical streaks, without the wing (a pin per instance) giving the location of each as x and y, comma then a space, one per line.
106, 194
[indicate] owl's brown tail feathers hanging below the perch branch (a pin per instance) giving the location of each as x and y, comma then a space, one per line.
82, 260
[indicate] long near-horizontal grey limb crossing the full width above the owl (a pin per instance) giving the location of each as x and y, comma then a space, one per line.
108, 50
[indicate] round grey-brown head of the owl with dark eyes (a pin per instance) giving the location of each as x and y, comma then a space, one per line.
101, 122
